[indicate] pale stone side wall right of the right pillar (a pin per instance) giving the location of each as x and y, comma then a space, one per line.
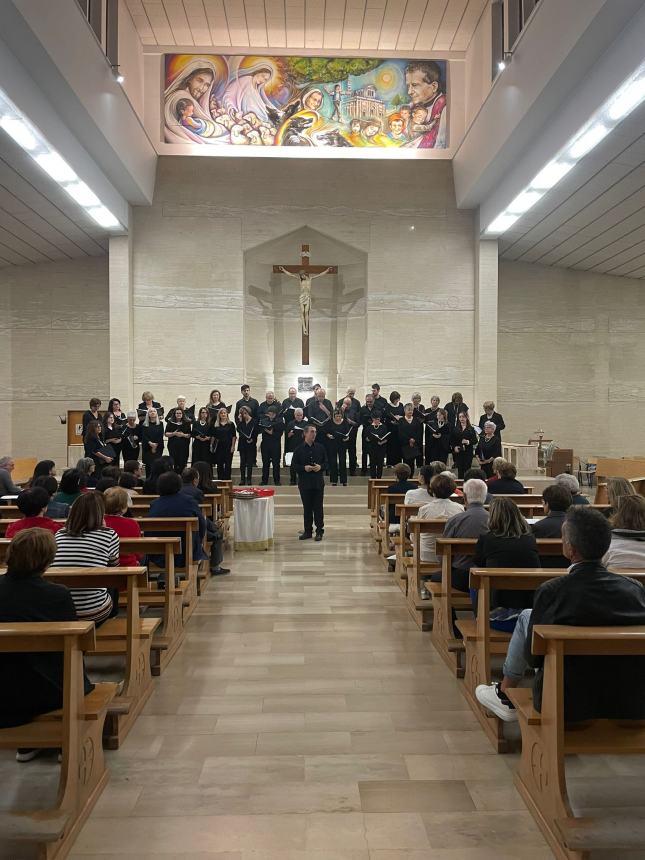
571, 353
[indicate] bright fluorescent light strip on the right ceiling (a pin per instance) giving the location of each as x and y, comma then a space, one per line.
626, 99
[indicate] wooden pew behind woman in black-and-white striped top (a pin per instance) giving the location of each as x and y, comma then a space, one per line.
129, 637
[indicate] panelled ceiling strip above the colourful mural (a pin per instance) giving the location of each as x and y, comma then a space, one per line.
357, 25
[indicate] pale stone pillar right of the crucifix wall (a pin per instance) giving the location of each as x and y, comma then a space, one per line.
486, 257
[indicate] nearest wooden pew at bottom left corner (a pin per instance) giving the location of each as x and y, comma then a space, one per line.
75, 729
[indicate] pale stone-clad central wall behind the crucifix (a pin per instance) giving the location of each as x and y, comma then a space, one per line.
206, 246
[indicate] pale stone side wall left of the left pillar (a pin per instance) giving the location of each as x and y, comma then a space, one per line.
55, 322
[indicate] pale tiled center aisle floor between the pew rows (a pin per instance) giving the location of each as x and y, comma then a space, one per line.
306, 718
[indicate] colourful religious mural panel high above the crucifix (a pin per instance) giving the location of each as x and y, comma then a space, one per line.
222, 100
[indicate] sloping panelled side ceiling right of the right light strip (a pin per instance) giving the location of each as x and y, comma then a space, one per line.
594, 219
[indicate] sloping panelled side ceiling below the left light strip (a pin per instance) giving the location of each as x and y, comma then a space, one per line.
39, 222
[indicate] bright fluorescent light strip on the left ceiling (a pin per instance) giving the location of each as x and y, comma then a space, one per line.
27, 136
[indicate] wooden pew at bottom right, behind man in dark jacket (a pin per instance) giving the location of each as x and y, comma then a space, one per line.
546, 740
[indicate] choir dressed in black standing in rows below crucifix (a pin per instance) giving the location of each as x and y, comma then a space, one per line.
391, 432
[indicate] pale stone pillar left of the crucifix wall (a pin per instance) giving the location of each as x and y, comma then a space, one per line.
121, 321
